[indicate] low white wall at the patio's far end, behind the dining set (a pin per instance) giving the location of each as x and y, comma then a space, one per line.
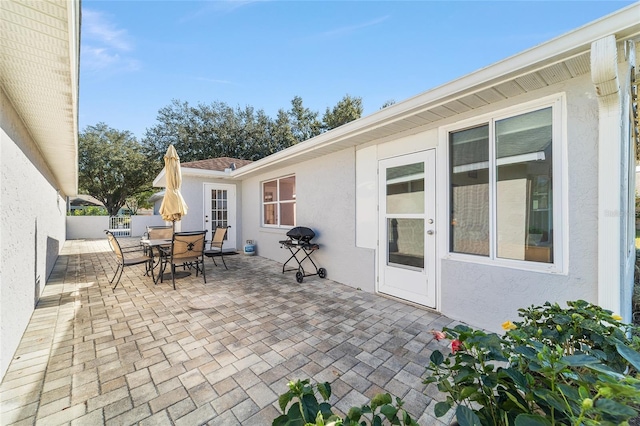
88, 227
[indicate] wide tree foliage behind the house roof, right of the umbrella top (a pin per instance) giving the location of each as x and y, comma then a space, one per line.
218, 130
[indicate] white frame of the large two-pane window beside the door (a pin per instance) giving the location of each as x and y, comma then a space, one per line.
560, 190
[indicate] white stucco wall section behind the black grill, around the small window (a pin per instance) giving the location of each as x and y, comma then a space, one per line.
325, 202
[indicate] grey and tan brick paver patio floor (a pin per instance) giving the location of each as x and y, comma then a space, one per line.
218, 353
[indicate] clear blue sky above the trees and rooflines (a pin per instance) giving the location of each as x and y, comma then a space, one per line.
136, 56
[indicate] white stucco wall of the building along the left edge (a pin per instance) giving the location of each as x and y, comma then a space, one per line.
32, 229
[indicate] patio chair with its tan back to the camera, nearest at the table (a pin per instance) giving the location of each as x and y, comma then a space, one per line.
187, 249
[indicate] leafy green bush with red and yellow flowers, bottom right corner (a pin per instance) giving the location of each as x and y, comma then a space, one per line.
557, 366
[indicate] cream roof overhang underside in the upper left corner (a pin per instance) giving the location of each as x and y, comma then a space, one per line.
39, 72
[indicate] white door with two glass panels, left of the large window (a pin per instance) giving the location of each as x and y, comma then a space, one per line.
407, 242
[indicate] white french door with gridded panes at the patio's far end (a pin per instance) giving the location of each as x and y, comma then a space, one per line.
220, 210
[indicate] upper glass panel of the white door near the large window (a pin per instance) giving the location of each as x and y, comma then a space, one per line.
405, 189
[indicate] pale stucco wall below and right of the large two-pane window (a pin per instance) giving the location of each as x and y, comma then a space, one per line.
501, 291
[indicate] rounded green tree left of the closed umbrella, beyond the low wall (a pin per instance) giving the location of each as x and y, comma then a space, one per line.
112, 166
